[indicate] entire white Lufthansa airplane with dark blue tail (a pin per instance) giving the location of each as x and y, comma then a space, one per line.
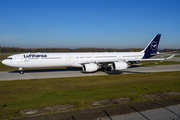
88, 61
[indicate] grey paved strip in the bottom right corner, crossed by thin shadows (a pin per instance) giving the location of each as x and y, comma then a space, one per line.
169, 113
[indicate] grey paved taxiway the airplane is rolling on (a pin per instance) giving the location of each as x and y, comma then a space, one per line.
36, 74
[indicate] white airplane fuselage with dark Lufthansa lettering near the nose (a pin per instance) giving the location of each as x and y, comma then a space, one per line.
37, 60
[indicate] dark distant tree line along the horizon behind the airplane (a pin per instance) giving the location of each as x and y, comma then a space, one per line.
17, 49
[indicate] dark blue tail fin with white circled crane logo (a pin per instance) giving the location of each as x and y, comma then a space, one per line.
152, 47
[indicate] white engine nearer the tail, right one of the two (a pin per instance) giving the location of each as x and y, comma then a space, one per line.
121, 65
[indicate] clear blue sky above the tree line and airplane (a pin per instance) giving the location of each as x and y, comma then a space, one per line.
89, 23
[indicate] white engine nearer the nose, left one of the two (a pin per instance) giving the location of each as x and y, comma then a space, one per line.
90, 67
